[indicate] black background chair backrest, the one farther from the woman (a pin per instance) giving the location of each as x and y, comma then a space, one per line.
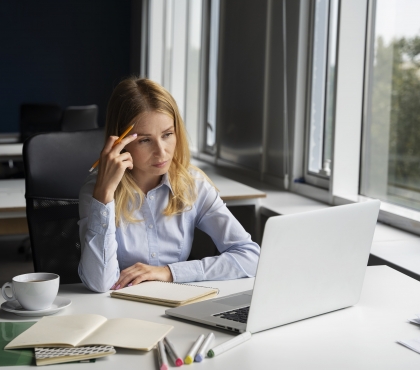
37, 118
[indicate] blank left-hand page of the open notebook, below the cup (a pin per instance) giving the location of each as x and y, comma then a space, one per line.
58, 331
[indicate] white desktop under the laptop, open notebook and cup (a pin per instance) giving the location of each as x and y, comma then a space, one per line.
359, 337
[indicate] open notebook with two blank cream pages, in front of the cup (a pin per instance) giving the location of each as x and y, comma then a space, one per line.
90, 330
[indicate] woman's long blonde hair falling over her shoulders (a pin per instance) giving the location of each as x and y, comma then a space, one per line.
131, 98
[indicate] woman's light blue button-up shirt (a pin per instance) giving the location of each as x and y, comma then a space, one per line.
161, 240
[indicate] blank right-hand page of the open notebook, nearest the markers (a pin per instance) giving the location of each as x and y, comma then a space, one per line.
128, 333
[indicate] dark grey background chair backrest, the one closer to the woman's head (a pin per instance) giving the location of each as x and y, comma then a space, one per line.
80, 118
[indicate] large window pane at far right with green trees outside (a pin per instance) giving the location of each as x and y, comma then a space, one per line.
391, 151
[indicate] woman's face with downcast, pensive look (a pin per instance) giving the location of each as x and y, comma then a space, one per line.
154, 148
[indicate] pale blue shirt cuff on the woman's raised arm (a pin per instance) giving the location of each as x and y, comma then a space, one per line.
102, 217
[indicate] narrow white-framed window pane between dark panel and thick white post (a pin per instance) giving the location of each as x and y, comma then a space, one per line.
322, 92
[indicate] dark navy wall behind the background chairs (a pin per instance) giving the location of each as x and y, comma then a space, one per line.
70, 52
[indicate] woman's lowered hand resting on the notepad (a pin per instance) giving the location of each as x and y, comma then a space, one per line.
140, 272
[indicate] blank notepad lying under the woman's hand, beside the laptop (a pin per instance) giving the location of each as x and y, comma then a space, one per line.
166, 291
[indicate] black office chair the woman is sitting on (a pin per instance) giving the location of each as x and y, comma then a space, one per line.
56, 165
